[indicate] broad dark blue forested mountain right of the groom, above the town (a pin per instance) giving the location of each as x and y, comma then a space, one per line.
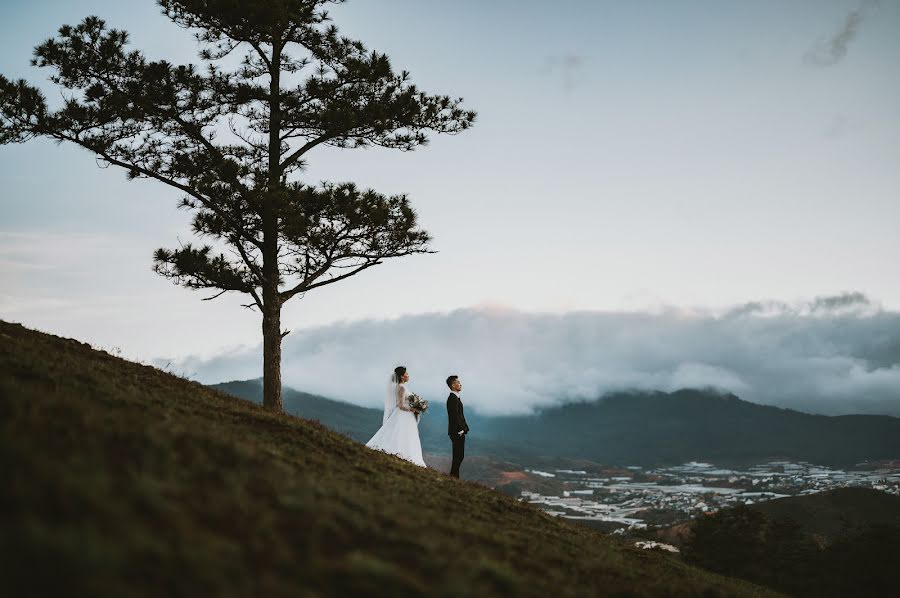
666, 428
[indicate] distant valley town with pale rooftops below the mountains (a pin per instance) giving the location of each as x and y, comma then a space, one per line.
633, 498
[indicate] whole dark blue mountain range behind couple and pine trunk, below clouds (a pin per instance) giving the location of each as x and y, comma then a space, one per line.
631, 428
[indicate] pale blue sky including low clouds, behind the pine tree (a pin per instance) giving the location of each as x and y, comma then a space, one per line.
645, 161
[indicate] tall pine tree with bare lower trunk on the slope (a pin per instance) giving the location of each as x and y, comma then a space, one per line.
232, 140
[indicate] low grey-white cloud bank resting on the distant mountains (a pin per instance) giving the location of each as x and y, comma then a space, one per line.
832, 355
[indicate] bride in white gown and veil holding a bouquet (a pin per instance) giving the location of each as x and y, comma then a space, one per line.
399, 432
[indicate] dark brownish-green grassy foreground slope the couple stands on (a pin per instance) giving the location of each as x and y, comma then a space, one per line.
121, 480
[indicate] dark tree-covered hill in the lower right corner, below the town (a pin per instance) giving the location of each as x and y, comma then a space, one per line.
838, 543
